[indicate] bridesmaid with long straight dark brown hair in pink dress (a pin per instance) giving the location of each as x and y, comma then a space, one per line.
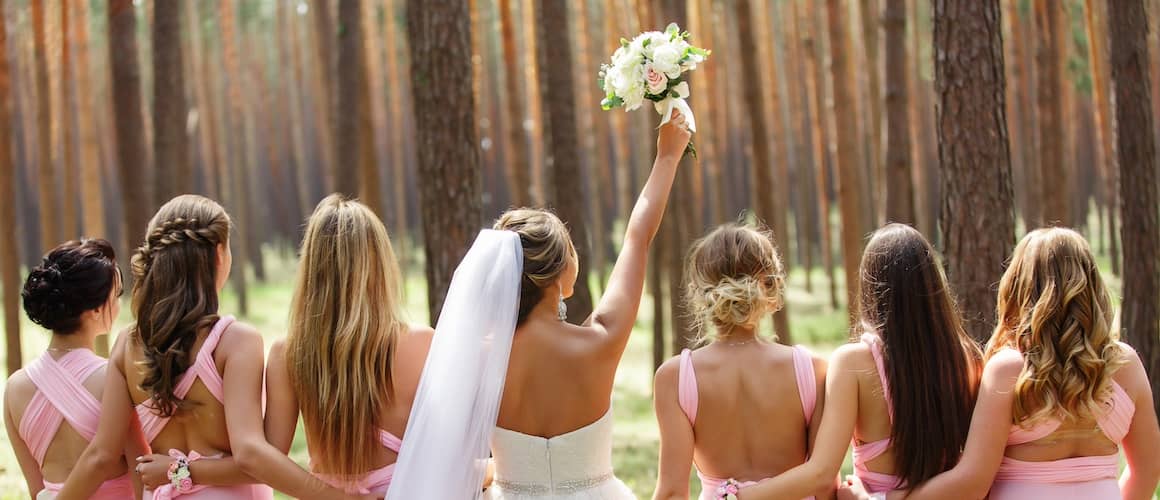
903, 392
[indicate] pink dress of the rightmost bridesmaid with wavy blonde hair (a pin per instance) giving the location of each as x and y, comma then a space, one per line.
1091, 477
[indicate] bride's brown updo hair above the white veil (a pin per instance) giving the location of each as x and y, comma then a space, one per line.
547, 250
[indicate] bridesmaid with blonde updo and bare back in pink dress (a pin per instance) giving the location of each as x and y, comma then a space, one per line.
715, 404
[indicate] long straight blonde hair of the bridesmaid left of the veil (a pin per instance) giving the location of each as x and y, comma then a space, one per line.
345, 324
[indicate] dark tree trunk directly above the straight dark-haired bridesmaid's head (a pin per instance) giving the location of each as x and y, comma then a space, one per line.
900, 180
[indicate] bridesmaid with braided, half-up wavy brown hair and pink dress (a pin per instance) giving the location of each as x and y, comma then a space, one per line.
186, 379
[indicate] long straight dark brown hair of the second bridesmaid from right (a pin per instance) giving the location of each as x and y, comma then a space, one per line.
932, 365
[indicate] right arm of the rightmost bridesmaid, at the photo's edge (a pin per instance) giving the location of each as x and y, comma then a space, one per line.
1143, 440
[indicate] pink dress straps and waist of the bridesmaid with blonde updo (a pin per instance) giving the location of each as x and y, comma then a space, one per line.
688, 401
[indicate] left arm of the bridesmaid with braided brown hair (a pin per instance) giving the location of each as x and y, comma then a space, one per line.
106, 454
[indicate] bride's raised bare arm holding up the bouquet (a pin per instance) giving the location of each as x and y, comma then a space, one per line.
618, 309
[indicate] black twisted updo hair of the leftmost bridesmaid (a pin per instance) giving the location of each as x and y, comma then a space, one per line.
72, 279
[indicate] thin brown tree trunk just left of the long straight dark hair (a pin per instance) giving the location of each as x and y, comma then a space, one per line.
850, 176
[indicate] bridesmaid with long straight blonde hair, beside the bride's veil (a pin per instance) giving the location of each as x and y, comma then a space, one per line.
350, 365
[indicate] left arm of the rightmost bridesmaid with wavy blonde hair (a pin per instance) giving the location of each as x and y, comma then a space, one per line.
991, 424
